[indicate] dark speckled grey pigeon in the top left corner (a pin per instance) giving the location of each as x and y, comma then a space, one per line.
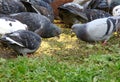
11, 6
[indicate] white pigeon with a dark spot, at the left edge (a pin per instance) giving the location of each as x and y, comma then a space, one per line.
9, 25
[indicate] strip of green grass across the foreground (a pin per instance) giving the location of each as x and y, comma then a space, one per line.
96, 68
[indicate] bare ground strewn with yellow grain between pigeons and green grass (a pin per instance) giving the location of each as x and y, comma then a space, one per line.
68, 48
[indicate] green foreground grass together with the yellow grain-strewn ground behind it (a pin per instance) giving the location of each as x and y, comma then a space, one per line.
66, 59
